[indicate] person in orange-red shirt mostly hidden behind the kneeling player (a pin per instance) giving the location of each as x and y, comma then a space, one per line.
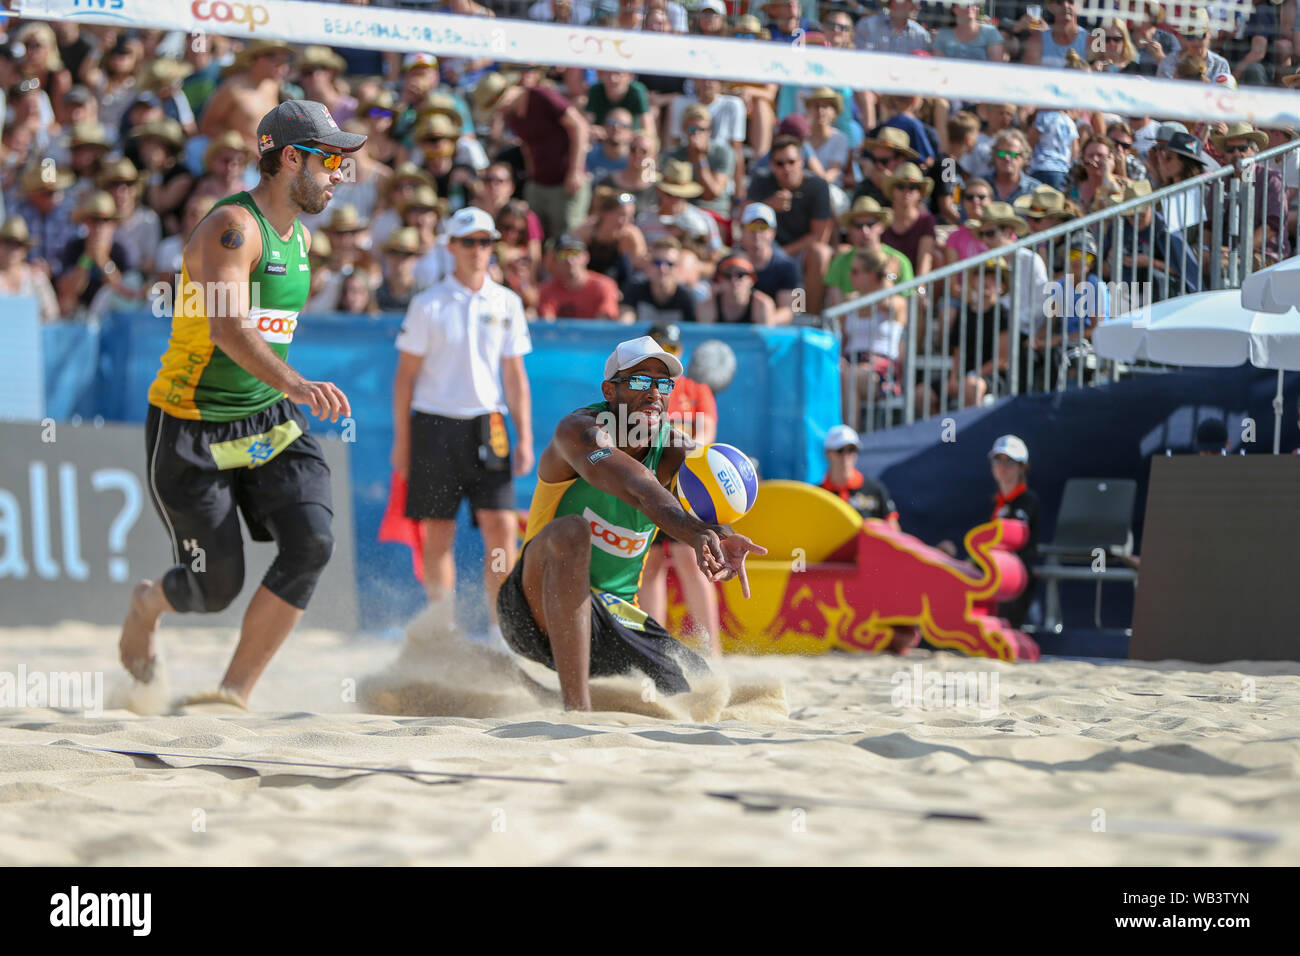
692, 409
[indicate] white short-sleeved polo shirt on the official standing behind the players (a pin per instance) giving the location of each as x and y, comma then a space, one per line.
463, 336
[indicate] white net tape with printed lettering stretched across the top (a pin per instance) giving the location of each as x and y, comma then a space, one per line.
344, 25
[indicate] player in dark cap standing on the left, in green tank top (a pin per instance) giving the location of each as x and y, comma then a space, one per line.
224, 430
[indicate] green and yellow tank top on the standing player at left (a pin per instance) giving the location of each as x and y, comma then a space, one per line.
197, 379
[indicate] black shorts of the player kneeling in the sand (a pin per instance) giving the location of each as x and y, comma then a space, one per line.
623, 638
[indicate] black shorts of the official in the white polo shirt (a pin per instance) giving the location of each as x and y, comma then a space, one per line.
448, 464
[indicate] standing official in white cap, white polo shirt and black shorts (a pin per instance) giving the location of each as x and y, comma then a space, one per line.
461, 369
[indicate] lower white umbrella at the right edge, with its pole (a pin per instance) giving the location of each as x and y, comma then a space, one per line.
1211, 330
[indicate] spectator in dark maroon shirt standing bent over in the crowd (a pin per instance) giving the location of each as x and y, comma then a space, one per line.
556, 141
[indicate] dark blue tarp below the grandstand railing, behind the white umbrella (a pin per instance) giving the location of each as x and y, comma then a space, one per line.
943, 488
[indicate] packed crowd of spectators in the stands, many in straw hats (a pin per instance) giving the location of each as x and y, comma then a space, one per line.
630, 197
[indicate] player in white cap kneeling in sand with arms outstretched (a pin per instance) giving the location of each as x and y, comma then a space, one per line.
603, 490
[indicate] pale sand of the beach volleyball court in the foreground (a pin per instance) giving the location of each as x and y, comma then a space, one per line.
786, 760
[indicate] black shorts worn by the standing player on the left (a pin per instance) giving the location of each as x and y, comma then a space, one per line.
200, 474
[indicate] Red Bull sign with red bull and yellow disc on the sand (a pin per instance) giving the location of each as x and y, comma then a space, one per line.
863, 587
